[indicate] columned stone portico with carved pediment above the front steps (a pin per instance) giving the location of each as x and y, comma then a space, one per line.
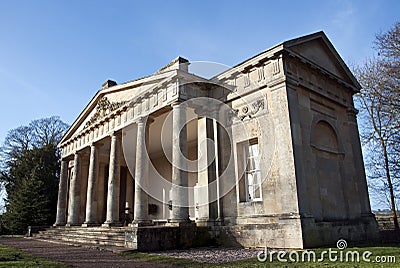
94, 165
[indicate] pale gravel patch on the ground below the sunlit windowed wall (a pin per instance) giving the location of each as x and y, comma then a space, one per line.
212, 255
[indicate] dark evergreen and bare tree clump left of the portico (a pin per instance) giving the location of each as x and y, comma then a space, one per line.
25, 148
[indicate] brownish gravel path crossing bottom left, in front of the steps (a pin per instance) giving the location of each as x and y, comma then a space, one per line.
75, 256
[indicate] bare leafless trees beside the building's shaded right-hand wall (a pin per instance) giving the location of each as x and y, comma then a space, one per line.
379, 101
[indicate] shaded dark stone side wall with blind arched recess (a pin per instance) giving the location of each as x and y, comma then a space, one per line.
333, 198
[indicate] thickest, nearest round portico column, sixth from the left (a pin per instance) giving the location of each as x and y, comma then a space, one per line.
180, 209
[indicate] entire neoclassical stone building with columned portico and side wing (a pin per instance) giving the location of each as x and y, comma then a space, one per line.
265, 153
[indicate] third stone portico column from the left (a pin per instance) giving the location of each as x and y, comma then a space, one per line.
91, 209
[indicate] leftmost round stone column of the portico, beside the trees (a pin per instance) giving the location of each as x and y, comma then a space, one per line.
62, 194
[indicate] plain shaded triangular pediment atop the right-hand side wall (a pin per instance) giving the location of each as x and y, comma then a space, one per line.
317, 49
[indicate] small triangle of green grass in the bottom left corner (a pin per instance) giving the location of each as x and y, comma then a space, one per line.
12, 257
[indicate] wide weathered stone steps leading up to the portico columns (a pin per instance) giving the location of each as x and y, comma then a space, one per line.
95, 236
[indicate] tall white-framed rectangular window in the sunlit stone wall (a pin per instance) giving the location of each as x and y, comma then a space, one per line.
252, 172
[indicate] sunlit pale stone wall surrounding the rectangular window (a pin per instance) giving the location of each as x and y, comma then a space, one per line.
263, 110
